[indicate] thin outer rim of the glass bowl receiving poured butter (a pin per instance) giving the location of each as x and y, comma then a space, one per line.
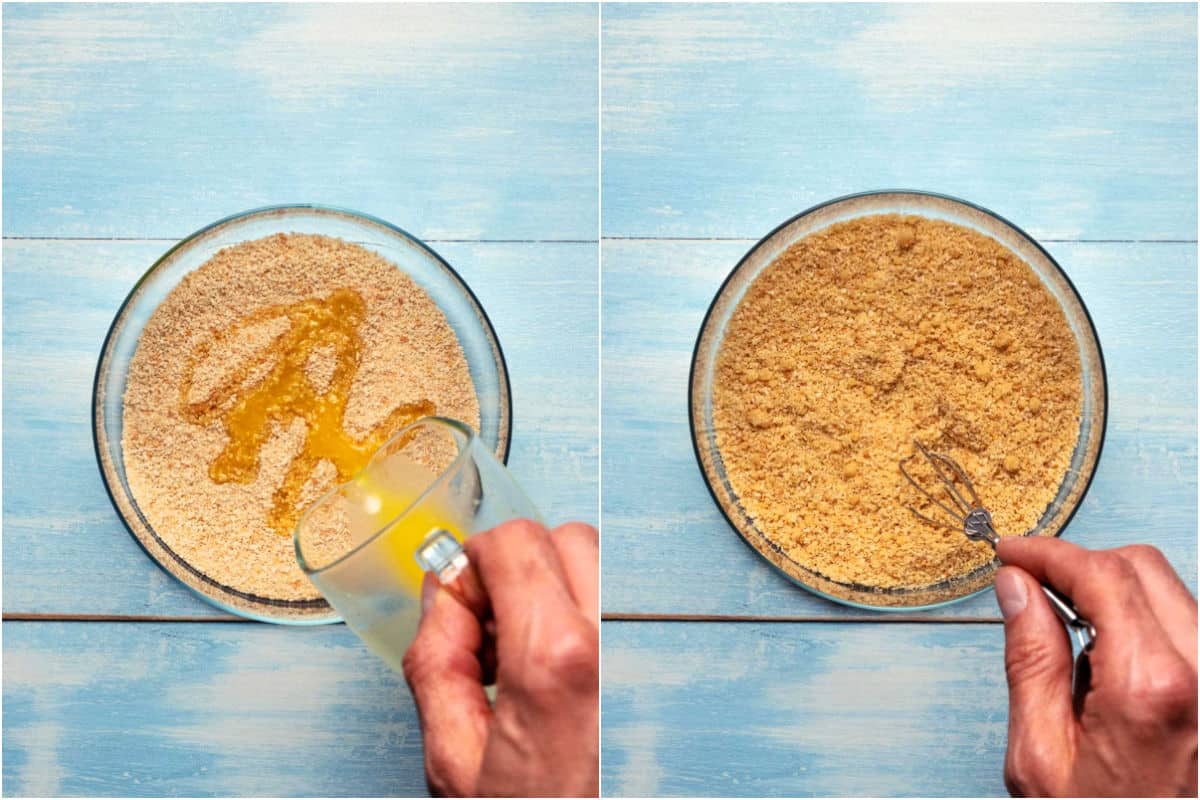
98, 412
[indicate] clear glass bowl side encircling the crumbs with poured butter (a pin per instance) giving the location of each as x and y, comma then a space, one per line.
418, 261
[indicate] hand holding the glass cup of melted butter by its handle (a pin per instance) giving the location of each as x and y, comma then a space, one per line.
526, 611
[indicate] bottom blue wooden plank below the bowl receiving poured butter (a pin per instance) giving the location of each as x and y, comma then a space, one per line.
203, 709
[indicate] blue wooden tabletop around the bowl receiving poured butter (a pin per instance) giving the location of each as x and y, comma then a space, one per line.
128, 128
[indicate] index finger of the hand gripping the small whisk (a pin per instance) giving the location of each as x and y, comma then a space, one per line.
1102, 586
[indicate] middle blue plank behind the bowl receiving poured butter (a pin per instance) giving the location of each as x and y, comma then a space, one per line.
65, 549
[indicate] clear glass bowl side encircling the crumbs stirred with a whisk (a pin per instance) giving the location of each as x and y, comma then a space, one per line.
939, 207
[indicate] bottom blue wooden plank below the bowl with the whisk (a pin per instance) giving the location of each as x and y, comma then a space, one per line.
799, 711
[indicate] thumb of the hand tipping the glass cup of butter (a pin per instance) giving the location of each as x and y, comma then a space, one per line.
446, 678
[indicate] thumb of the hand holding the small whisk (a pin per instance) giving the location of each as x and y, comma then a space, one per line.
1039, 664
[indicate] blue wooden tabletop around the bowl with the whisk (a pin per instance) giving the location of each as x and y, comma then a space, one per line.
1079, 124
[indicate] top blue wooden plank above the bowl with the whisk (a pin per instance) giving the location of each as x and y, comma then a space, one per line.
1076, 122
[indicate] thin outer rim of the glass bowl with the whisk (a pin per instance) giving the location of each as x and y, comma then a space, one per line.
692, 399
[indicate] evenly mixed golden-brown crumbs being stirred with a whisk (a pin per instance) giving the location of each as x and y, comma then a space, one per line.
865, 336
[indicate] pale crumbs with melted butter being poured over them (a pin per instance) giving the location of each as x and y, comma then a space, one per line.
328, 342
